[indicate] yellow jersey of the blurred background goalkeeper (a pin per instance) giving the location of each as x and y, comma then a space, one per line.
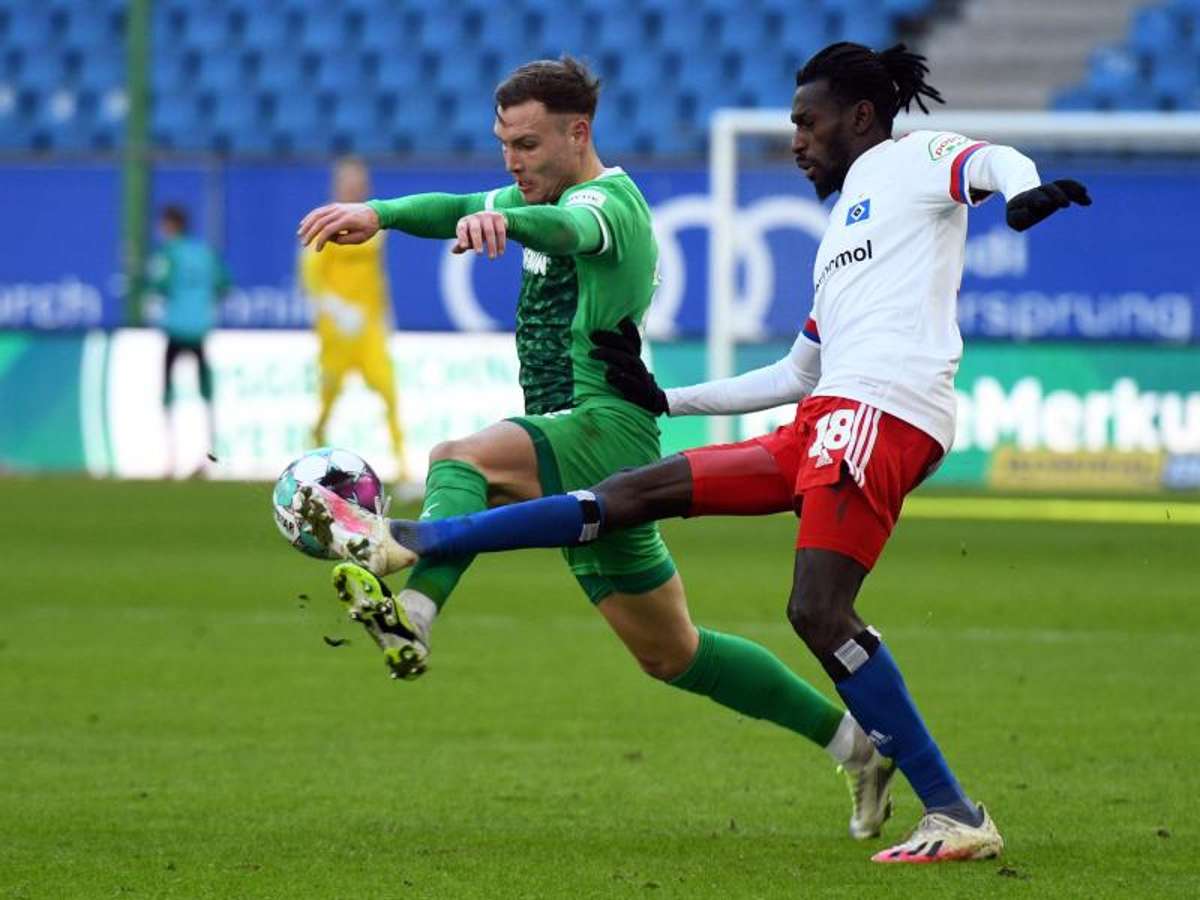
349, 285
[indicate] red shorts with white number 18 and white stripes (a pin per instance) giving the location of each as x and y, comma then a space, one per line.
844, 467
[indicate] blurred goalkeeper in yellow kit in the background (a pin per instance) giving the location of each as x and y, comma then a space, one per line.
349, 286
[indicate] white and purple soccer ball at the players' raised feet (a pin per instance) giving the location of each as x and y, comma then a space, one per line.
343, 472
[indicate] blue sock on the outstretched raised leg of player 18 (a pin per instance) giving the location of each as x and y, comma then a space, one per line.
559, 521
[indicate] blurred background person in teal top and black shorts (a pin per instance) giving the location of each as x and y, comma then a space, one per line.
191, 279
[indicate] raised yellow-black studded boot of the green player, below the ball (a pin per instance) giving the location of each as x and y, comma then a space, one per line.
405, 644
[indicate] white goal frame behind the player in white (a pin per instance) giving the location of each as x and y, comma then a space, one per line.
1142, 134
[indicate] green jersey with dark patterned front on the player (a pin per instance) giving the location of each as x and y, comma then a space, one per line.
565, 298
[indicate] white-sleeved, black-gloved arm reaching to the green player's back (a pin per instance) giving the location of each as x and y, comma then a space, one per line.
789, 381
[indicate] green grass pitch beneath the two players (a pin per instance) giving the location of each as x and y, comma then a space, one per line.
173, 724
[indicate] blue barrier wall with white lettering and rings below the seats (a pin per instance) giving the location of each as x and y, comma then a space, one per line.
1124, 271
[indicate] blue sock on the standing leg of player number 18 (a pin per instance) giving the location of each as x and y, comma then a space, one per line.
874, 691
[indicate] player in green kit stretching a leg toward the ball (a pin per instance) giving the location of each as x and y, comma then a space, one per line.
590, 260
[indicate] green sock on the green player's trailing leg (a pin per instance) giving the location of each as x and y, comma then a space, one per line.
747, 677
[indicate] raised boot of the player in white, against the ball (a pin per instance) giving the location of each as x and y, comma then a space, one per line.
350, 531
